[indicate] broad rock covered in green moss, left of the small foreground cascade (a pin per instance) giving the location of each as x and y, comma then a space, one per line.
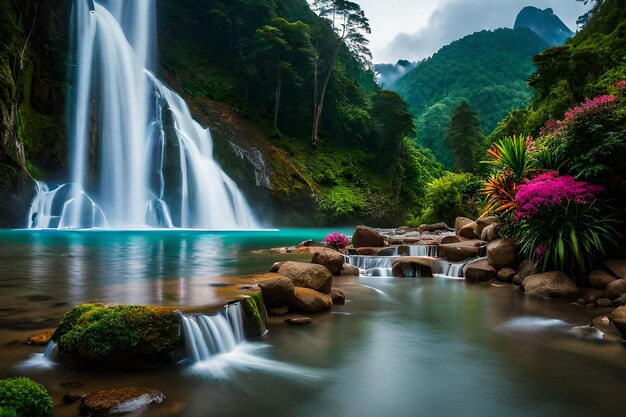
118, 335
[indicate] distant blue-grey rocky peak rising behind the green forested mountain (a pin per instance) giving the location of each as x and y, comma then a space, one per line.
545, 24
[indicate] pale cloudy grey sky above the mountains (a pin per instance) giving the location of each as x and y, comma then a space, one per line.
415, 29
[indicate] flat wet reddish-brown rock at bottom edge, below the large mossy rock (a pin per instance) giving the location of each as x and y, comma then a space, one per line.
119, 401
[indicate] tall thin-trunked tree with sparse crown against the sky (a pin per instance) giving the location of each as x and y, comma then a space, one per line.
349, 22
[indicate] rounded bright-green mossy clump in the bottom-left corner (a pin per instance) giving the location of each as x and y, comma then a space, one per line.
23, 397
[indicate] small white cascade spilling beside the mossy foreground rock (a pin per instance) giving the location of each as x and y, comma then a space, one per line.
208, 335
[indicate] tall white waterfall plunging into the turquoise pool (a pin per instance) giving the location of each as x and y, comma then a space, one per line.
138, 157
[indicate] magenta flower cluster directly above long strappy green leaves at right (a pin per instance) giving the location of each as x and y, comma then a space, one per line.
551, 189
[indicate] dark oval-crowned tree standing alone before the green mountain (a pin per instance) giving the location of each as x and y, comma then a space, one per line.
464, 136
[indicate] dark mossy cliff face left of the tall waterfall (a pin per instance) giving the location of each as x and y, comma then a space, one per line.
33, 56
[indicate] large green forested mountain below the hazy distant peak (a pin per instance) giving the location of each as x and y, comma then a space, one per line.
488, 69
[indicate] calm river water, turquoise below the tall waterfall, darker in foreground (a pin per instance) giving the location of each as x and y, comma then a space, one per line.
402, 347
